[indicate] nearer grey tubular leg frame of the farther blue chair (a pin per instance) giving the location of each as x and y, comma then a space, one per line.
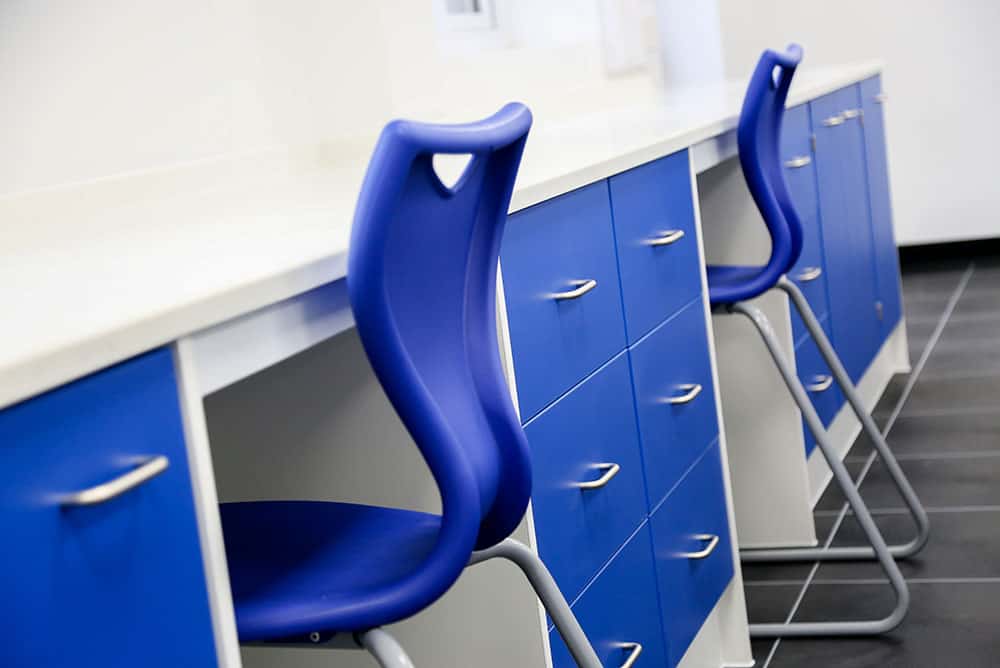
843, 478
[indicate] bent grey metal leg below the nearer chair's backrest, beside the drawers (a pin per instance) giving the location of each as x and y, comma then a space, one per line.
548, 593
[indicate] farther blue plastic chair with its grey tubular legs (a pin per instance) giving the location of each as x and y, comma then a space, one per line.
758, 138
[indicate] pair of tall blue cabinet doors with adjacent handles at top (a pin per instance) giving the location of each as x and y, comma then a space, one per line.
847, 234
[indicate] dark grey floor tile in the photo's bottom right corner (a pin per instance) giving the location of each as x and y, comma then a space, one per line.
948, 626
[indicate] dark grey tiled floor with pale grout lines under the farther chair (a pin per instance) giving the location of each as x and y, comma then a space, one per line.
946, 436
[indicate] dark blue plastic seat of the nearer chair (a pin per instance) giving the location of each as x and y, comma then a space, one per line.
301, 566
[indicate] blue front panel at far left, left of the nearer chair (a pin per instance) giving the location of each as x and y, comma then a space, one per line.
115, 584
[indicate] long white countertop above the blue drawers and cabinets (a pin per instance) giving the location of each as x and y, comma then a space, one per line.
93, 273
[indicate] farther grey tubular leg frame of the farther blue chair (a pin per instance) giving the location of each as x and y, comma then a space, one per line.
899, 478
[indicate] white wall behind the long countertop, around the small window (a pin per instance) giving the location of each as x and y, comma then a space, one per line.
94, 88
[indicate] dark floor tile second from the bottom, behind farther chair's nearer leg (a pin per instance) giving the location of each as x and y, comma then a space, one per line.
961, 545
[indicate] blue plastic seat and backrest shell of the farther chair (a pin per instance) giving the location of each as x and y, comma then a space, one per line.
758, 135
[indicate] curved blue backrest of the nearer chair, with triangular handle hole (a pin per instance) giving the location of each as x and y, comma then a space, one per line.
422, 273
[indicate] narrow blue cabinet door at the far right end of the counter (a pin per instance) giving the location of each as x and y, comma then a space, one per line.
886, 253
